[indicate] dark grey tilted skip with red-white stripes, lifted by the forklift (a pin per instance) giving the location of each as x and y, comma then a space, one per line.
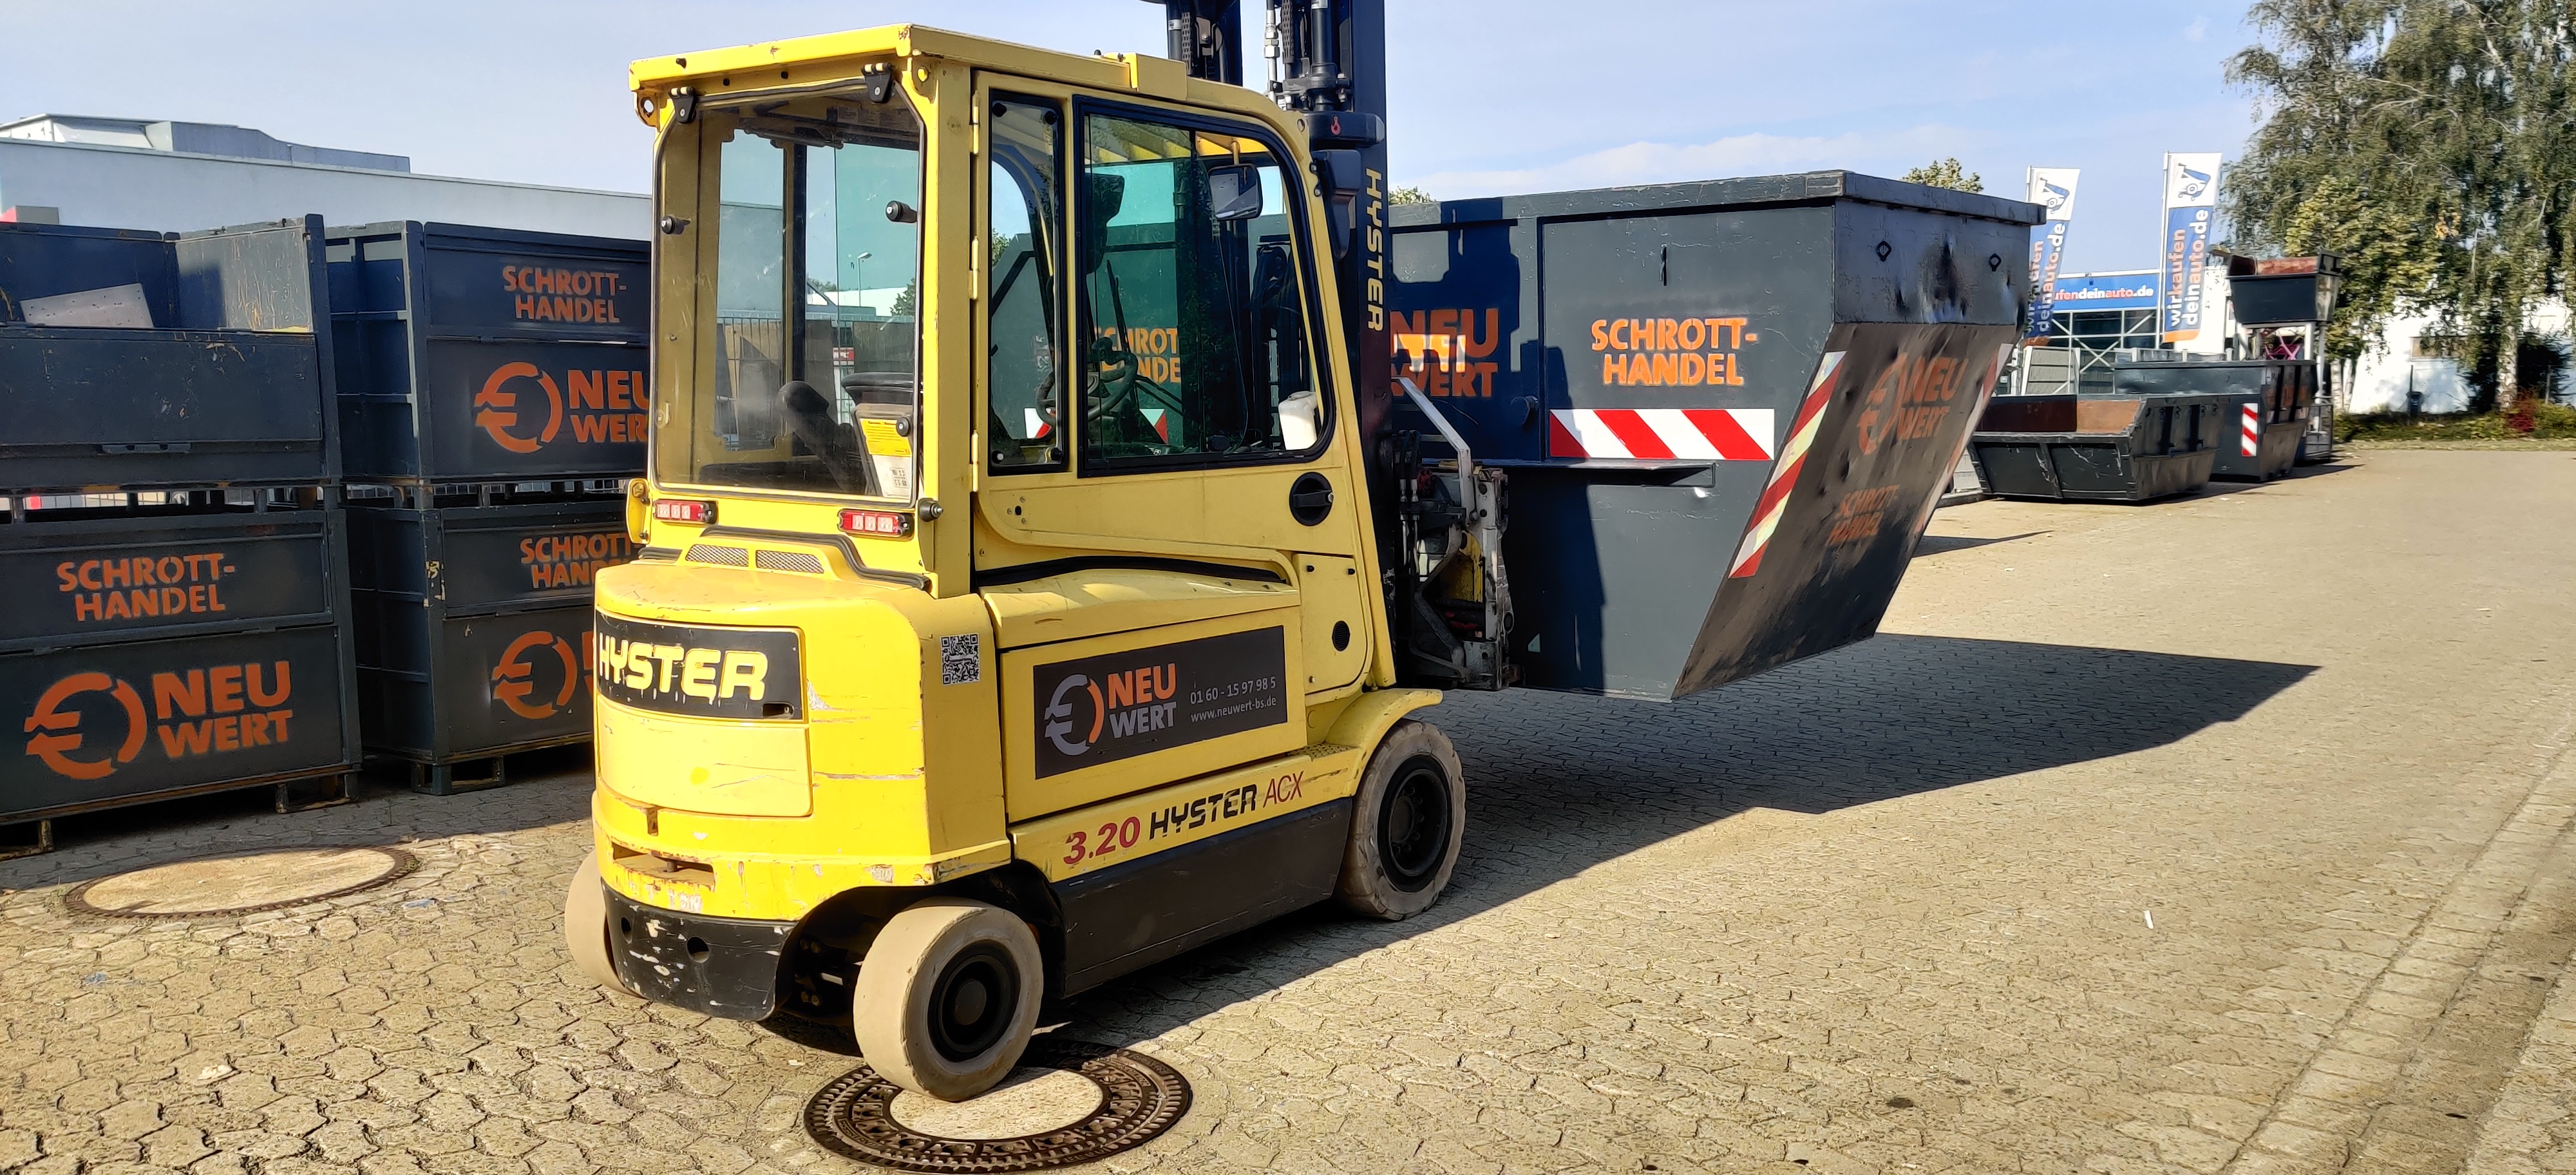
1725, 408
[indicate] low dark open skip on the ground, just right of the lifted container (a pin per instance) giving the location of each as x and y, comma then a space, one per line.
2098, 450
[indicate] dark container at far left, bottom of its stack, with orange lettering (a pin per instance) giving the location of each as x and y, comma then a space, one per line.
171, 653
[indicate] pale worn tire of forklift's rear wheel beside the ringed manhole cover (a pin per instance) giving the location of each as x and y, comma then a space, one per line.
890, 1014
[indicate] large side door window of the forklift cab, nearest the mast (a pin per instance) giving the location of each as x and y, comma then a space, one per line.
1194, 303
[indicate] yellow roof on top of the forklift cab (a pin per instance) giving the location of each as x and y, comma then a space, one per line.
818, 61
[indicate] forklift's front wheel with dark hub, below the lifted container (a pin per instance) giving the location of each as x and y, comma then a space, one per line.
1405, 826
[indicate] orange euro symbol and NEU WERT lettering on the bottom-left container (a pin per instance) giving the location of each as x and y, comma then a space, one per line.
194, 712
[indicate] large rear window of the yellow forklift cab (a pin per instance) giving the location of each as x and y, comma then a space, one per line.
818, 269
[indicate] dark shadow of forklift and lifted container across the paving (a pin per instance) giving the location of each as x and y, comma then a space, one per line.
1560, 785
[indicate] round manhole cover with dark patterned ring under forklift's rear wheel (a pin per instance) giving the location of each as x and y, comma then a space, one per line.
1099, 1102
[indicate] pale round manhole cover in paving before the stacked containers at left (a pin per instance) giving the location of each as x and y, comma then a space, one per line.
241, 885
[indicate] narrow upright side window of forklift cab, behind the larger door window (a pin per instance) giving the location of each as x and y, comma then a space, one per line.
1027, 305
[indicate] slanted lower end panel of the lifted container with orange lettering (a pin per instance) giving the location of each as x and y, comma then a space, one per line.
1884, 416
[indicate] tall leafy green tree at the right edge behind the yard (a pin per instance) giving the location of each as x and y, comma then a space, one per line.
2430, 146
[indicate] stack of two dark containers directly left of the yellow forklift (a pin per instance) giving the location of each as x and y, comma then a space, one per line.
493, 406
